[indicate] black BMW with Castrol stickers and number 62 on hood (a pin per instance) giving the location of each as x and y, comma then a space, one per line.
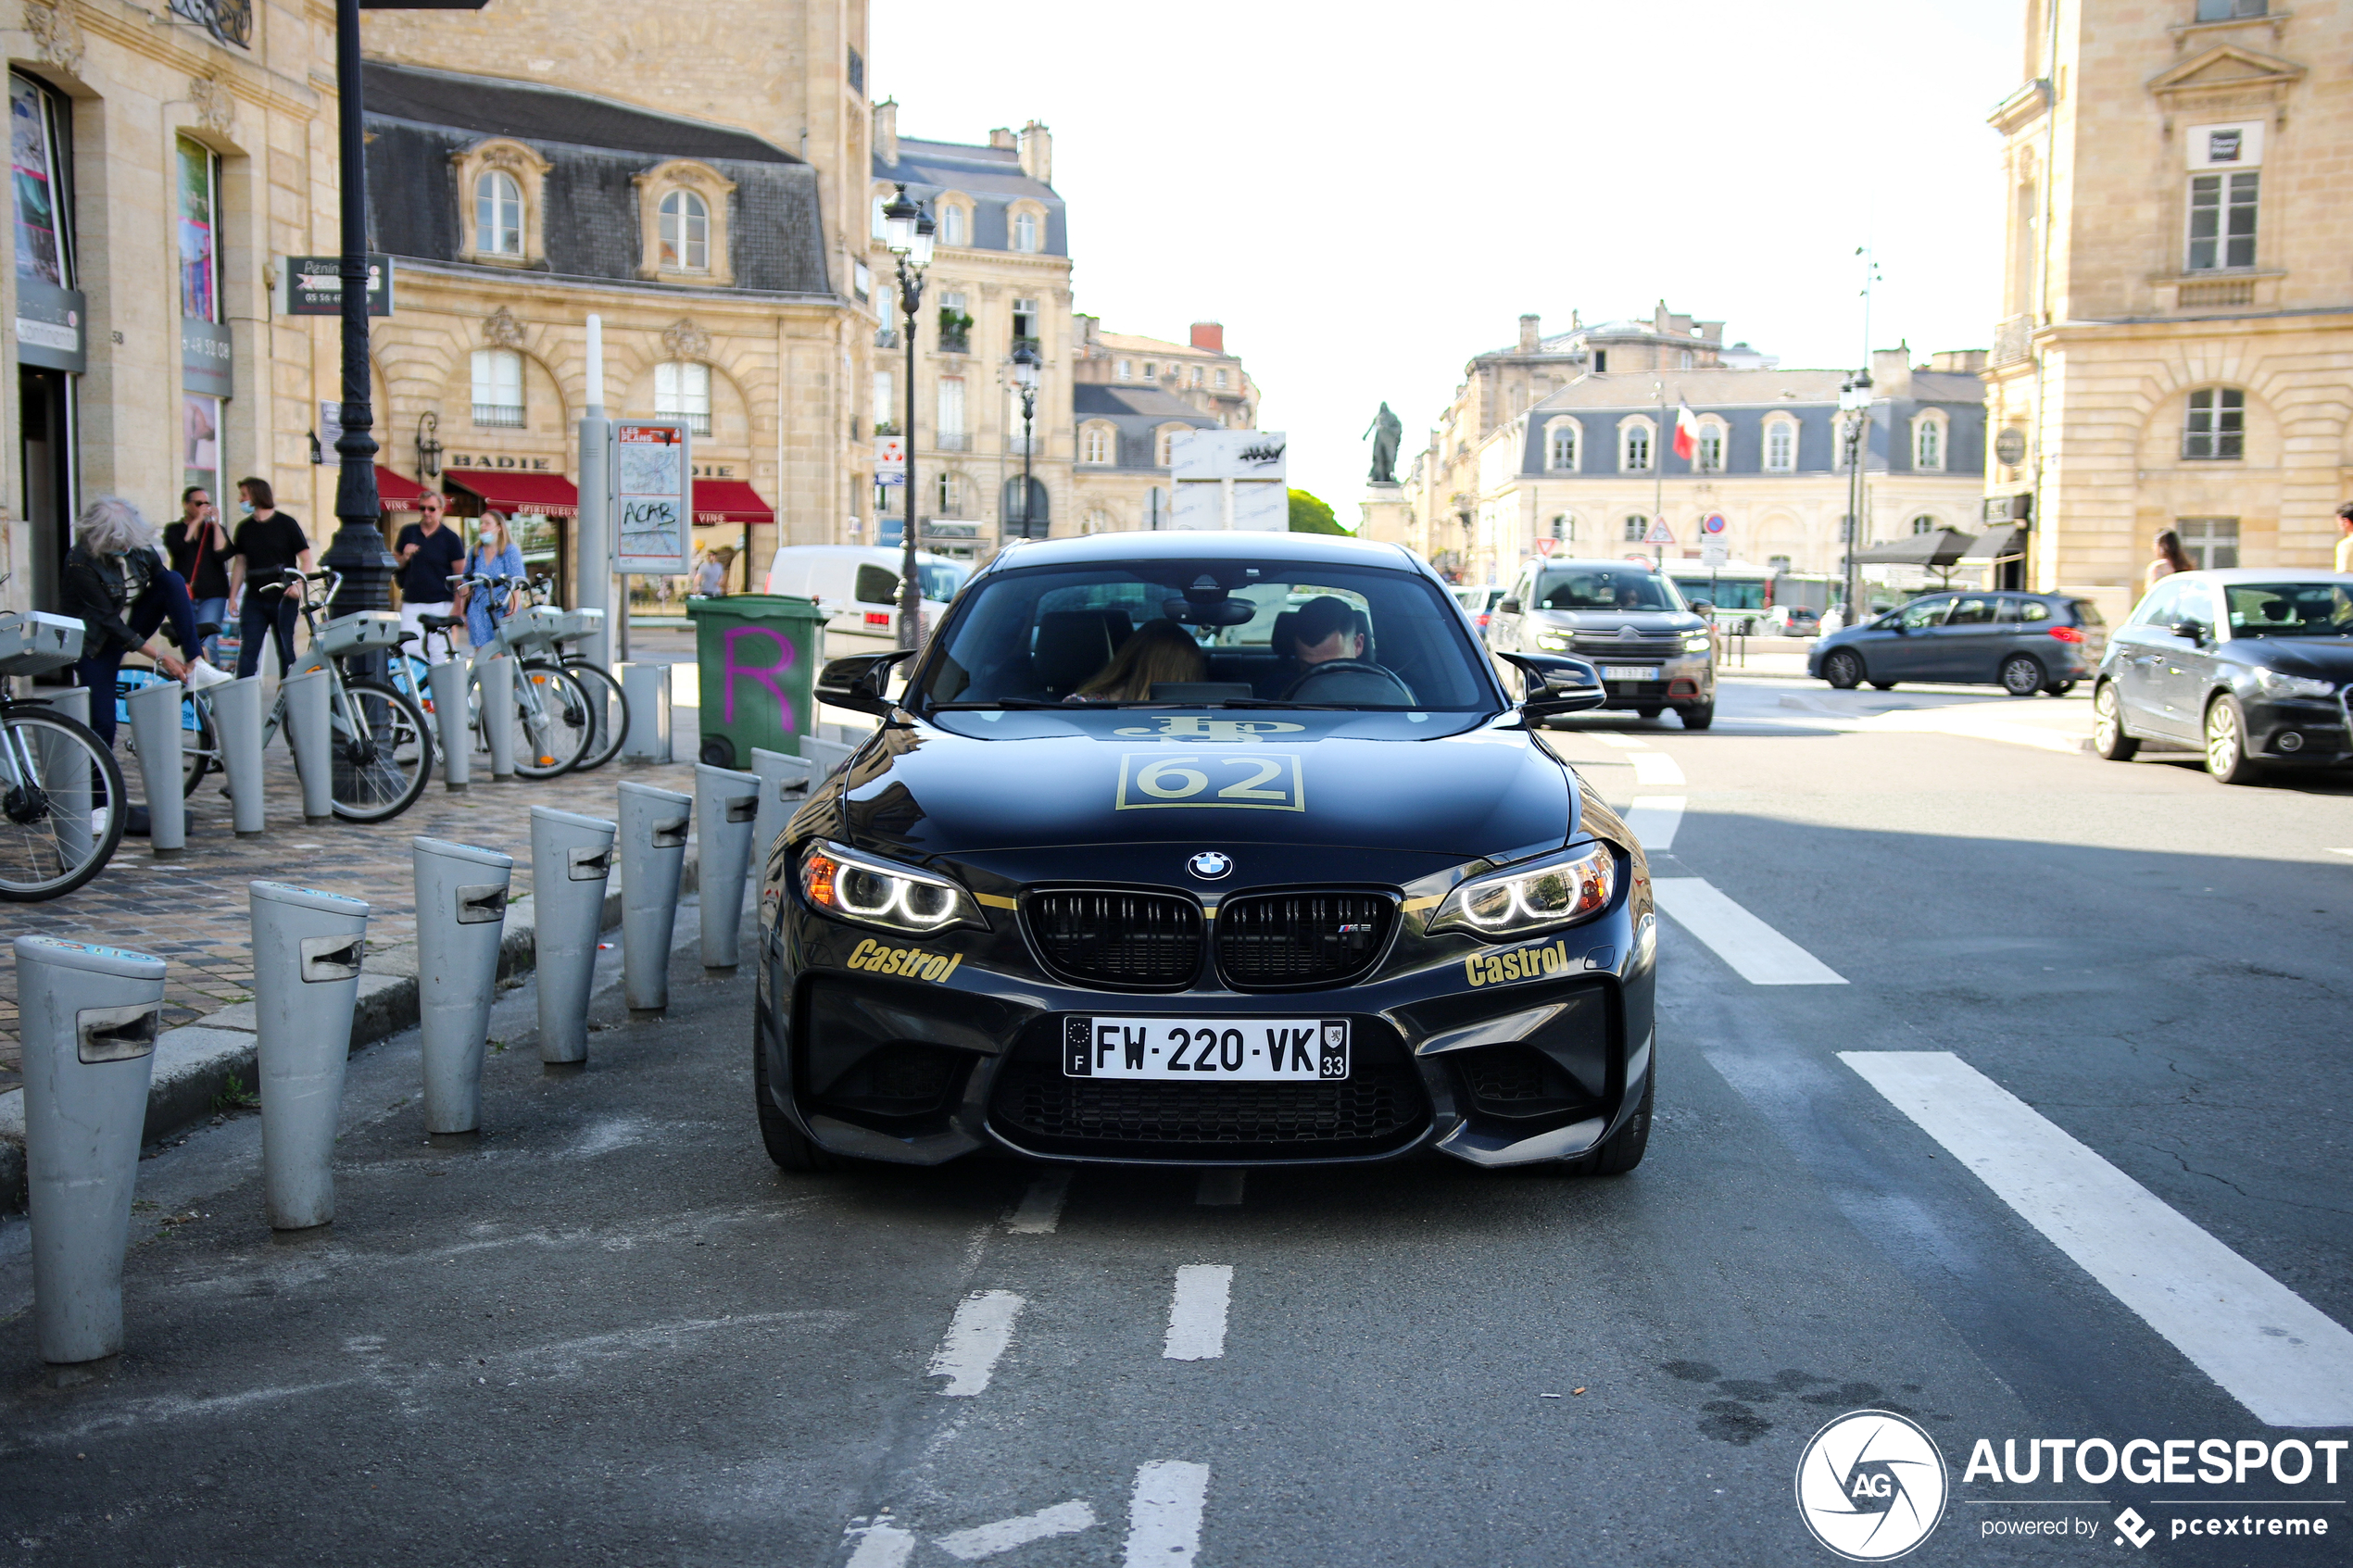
1277, 911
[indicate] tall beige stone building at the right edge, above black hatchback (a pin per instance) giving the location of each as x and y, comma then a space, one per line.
2178, 335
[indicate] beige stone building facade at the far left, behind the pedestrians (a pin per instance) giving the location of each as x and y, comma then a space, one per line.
161, 168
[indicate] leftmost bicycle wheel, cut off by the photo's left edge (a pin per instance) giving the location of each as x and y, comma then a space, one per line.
62, 805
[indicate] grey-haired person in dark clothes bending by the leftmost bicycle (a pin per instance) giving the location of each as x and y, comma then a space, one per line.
121, 591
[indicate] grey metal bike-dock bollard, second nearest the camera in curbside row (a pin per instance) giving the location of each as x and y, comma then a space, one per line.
307, 979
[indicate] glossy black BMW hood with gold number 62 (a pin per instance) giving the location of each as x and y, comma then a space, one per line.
1458, 786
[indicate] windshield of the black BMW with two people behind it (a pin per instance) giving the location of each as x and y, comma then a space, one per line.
1211, 634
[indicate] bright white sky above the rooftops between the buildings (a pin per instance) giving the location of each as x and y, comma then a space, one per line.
1368, 196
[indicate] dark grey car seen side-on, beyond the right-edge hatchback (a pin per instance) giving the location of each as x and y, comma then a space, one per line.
2022, 643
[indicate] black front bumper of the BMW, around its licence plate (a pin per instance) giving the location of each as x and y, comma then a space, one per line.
1453, 1050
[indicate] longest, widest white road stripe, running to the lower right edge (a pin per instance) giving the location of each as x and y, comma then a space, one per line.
2272, 1351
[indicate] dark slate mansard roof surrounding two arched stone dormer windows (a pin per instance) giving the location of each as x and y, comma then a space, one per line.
589, 203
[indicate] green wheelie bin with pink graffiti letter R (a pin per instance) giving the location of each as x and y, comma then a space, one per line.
756, 655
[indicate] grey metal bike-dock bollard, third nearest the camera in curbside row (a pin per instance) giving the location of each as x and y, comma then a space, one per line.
460, 918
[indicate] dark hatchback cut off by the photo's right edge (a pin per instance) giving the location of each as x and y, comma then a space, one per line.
2248, 666
